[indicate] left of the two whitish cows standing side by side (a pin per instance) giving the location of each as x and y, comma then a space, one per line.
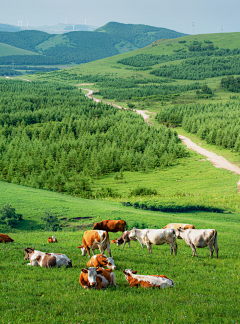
155, 236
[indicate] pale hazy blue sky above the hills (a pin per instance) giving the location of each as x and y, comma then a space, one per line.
209, 16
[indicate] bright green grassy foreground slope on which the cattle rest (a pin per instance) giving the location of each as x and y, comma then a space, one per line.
58, 295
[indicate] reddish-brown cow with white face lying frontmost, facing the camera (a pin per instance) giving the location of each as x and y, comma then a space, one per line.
96, 278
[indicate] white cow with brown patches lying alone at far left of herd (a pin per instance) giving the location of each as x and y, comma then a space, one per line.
46, 260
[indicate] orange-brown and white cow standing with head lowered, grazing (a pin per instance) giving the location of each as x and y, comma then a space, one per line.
95, 240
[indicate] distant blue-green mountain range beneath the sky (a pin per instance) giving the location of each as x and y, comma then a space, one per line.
78, 46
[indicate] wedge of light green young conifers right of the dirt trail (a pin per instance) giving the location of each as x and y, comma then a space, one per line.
218, 124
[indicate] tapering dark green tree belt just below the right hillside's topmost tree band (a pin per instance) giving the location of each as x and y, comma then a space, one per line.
200, 68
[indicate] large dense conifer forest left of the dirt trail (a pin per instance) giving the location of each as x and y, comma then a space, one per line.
53, 137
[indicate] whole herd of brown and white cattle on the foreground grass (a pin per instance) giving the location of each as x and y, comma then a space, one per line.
99, 272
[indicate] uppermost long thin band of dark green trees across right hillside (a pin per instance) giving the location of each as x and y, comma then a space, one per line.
146, 60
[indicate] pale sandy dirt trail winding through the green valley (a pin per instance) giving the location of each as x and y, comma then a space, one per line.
217, 160
